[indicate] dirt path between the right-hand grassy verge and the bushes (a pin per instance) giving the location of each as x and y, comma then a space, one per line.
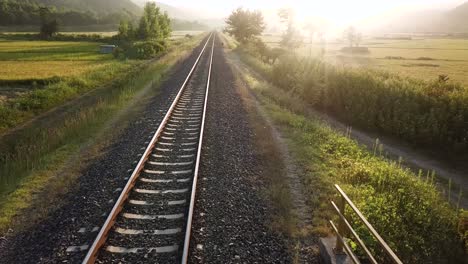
413, 159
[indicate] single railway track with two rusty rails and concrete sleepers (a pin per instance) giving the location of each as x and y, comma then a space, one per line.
151, 220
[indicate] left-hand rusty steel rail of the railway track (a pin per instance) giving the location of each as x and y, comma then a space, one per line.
102, 235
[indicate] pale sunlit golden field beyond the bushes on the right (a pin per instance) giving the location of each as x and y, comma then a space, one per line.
421, 58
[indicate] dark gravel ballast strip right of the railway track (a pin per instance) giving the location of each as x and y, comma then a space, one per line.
231, 216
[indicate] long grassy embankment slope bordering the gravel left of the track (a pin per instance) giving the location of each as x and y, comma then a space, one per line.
41, 158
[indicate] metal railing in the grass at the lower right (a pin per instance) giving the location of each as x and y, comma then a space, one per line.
344, 228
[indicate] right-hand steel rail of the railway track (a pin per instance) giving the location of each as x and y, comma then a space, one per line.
197, 165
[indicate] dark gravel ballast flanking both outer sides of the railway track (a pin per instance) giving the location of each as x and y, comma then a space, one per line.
232, 216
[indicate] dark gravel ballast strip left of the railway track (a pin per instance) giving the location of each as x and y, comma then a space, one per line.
65, 235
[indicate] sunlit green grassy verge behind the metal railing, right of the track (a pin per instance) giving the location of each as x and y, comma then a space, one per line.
408, 211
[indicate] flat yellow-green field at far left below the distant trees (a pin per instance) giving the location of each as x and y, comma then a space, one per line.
21, 60
